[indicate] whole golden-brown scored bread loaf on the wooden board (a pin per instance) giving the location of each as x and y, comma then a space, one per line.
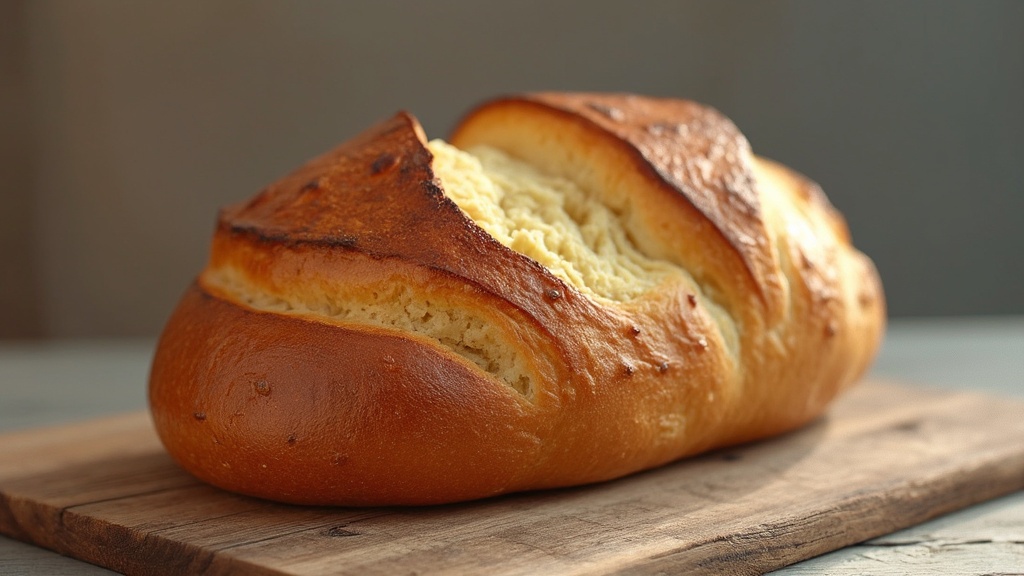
577, 289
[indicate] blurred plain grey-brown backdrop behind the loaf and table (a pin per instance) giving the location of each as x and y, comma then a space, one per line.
124, 126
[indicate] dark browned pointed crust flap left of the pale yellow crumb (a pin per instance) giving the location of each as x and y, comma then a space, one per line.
376, 195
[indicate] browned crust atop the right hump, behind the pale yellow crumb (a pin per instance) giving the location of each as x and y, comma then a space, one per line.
695, 154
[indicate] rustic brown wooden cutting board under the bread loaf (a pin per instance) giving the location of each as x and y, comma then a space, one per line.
885, 458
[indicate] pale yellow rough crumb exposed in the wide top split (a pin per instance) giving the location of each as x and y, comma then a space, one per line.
550, 220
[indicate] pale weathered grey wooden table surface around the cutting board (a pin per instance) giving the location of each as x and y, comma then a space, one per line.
46, 384
